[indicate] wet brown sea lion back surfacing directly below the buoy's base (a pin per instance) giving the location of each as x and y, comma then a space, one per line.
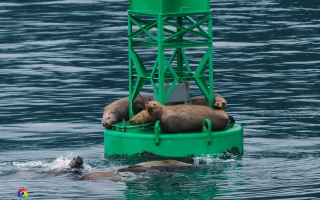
145, 166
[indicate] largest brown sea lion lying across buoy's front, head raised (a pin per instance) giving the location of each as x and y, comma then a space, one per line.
186, 118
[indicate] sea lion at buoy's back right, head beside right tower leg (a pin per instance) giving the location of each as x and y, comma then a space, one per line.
219, 102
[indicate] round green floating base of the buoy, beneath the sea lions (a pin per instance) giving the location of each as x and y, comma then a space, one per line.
136, 140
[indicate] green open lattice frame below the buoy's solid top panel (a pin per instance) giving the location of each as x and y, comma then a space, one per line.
162, 71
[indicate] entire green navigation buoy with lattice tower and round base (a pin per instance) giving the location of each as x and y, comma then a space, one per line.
170, 27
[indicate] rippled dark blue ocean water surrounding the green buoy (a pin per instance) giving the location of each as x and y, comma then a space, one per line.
62, 61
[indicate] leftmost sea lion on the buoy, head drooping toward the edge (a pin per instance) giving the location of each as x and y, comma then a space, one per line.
119, 110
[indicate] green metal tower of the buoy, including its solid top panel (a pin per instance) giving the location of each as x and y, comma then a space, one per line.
169, 26
